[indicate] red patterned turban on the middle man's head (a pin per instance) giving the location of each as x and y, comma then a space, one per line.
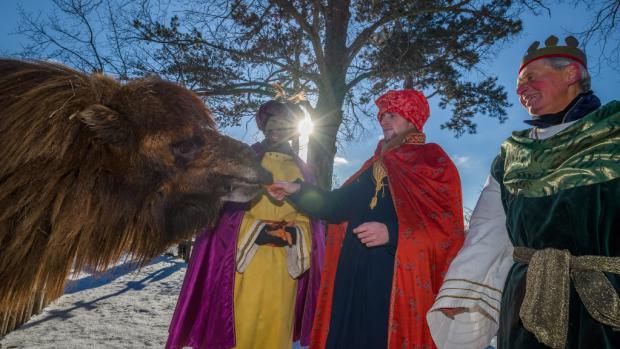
410, 104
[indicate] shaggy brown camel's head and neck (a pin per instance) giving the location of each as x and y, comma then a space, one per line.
92, 170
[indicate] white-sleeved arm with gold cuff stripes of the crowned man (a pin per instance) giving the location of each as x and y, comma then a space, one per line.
466, 311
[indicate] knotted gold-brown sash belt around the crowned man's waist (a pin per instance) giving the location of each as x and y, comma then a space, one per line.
544, 310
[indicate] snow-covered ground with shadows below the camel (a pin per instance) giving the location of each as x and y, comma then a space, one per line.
120, 308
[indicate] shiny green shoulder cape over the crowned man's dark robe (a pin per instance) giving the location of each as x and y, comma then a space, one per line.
574, 157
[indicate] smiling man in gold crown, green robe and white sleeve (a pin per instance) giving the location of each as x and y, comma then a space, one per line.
542, 255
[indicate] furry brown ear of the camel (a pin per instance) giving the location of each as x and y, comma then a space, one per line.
106, 124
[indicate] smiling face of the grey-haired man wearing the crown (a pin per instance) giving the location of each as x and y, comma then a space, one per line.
545, 90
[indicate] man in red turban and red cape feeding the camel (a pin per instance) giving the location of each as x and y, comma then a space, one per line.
400, 224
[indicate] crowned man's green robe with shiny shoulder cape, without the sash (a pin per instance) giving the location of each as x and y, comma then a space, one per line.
564, 193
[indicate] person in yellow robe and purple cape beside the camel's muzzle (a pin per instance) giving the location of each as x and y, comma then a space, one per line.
252, 280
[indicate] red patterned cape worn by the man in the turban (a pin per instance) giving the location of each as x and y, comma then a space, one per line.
426, 190
